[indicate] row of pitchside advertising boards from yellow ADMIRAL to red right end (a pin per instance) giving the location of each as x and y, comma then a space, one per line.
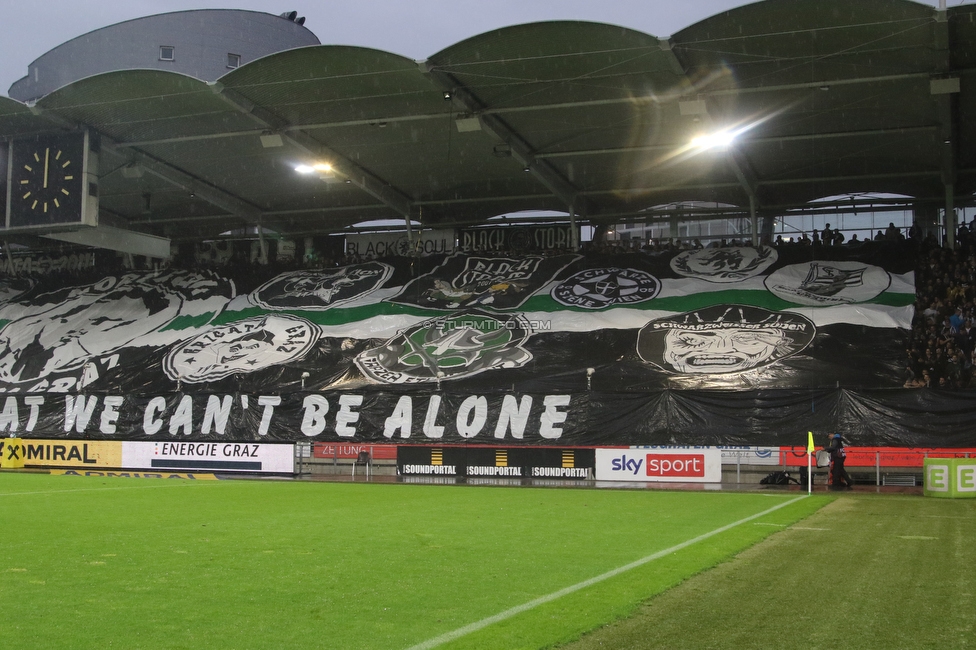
704, 464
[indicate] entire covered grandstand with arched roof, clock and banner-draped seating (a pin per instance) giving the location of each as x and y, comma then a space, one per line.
336, 245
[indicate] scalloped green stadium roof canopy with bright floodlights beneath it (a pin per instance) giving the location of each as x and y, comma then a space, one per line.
823, 98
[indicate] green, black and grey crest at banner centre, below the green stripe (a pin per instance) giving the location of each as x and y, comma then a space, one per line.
447, 348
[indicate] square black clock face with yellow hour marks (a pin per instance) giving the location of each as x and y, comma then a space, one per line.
46, 181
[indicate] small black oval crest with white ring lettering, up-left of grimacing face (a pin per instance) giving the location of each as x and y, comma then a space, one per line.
606, 287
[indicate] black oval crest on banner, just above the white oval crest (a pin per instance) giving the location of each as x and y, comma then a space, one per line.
322, 289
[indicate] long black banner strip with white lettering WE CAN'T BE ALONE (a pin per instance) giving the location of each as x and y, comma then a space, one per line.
899, 417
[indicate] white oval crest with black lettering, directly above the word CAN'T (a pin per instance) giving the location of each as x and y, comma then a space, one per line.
242, 347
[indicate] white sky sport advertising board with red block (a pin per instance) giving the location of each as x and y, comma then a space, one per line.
670, 466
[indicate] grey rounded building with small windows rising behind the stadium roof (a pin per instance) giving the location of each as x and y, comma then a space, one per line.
202, 40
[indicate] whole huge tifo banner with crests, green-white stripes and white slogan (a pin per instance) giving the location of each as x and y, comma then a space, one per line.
709, 347
